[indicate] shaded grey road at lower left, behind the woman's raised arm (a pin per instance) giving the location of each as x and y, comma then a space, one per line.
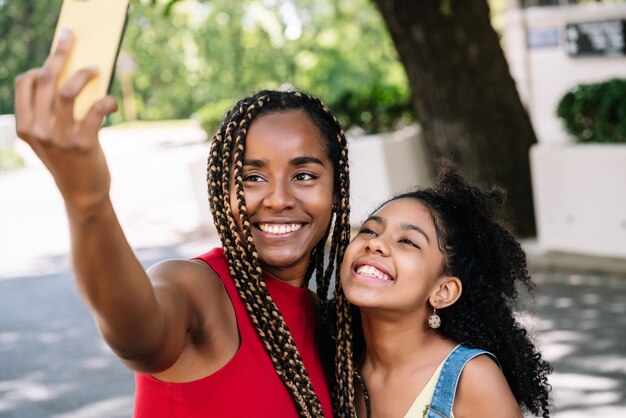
53, 362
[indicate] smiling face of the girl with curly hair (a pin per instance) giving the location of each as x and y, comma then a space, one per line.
394, 261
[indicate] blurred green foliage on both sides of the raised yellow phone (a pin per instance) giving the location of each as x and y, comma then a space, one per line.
195, 57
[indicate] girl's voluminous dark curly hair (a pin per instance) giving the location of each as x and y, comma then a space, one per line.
490, 263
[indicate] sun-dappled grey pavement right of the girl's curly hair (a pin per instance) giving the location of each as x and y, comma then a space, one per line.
581, 321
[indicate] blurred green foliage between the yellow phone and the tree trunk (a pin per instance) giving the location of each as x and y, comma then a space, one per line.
339, 51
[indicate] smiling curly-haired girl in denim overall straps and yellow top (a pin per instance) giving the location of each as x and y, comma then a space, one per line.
434, 278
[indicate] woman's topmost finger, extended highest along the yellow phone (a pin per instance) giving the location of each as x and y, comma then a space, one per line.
46, 84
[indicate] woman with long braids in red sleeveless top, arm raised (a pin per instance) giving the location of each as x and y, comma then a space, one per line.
232, 333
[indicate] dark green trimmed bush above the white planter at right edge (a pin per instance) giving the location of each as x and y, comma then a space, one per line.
595, 112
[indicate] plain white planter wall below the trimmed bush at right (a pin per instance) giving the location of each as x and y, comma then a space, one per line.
579, 198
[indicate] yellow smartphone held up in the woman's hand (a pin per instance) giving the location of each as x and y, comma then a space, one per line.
98, 28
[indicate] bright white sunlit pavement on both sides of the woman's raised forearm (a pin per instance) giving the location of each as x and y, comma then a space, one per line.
157, 190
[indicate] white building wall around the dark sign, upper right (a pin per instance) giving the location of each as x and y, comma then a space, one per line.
544, 74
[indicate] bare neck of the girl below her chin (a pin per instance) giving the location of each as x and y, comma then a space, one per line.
393, 343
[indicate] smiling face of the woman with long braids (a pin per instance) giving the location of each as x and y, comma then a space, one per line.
288, 188
